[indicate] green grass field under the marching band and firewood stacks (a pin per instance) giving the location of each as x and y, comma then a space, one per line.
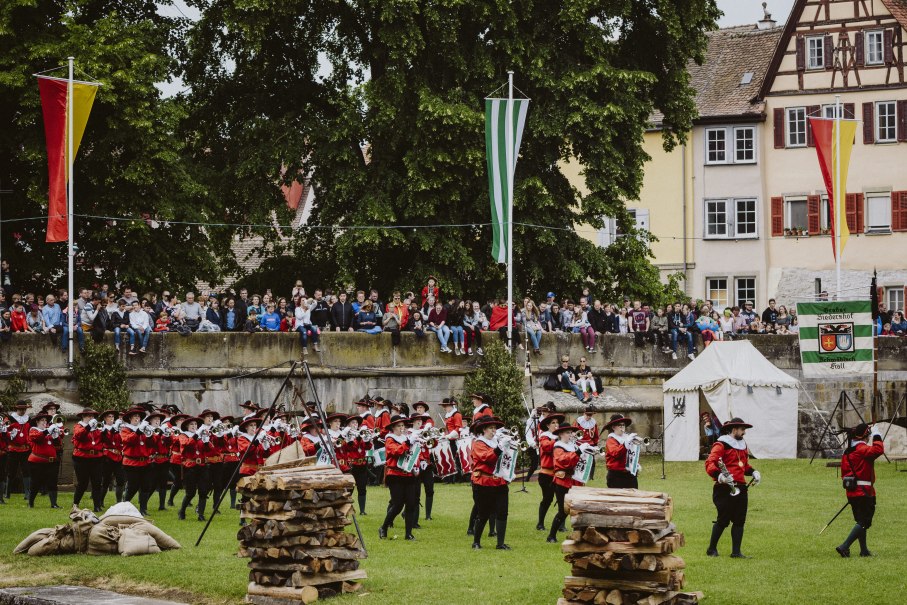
789, 564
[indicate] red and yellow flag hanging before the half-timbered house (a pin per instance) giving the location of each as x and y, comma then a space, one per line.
826, 136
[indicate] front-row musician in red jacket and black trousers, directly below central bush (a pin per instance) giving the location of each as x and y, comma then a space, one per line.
490, 494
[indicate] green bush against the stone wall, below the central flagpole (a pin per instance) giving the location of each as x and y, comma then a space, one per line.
502, 380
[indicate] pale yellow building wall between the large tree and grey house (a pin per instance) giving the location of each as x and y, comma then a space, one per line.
666, 191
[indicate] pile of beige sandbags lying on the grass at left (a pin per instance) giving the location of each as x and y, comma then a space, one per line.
120, 531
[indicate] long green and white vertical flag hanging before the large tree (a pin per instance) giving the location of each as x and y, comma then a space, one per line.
502, 165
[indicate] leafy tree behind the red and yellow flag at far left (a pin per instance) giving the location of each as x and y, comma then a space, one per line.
132, 162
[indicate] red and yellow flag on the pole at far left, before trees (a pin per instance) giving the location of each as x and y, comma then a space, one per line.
54, 103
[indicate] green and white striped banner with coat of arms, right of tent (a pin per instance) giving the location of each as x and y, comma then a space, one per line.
836, 338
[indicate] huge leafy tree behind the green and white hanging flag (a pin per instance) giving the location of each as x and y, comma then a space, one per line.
380, 101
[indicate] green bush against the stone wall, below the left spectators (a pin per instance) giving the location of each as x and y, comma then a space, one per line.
102, 378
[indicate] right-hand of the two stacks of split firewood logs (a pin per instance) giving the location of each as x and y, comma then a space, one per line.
621, 550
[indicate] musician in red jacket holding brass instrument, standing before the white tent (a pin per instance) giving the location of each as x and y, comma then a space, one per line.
731, 450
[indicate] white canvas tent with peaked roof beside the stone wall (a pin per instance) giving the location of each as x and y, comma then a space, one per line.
732, 379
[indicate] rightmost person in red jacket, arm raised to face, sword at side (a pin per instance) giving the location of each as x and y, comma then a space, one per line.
857, 469
